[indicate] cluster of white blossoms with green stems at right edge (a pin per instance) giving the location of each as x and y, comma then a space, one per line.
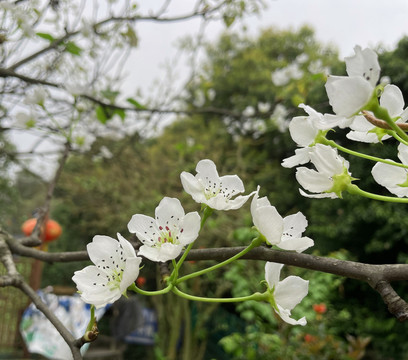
372, 112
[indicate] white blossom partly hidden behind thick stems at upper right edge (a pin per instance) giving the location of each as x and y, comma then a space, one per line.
392, 100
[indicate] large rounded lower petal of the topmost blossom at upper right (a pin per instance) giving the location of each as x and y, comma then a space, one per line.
347, 95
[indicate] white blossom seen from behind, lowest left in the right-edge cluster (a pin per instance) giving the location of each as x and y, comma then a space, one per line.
331, 177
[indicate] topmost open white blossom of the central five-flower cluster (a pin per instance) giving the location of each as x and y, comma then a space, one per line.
207, 187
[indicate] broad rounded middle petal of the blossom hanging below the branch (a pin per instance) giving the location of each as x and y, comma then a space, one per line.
290, 291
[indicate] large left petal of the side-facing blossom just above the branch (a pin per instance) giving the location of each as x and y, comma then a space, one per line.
269, 223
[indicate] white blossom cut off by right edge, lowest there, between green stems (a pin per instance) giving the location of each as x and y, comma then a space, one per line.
394, 178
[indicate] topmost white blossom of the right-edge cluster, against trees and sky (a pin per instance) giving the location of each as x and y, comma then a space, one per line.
348, 94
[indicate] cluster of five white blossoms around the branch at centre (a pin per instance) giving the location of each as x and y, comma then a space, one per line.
116, 264
